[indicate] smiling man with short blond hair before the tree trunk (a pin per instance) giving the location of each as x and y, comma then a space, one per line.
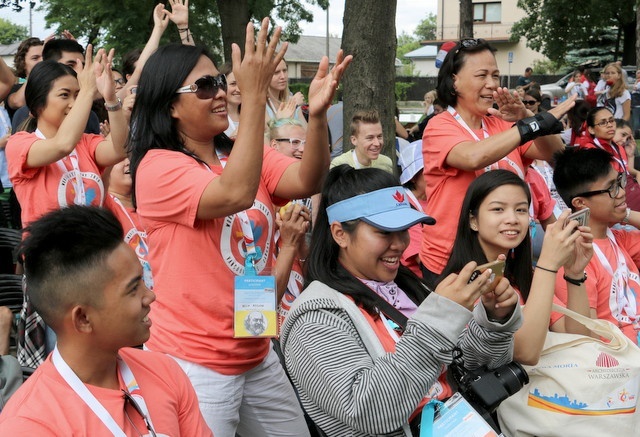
367, 141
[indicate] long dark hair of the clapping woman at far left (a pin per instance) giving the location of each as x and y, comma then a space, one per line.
40, 82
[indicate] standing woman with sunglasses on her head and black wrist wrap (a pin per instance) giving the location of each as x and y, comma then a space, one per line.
472, 137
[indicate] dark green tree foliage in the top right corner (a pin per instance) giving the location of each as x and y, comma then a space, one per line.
553, 27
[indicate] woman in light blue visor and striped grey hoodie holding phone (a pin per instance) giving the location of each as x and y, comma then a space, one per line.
356, 368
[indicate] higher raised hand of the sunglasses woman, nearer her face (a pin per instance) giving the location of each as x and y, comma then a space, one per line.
255, 70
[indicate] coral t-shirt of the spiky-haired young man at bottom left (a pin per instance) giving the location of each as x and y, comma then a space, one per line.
47, 405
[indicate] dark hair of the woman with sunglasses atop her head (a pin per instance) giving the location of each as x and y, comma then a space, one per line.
453, 62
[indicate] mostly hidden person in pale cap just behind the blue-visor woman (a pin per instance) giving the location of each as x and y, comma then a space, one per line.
412, 179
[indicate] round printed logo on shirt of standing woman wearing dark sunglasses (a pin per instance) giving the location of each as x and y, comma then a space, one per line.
232, 241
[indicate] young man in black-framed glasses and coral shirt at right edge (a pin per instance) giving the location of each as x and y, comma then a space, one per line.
587, 178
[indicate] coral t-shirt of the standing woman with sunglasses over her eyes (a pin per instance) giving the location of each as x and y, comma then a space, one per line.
195, 261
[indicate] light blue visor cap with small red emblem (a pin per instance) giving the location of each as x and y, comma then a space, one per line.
387, 209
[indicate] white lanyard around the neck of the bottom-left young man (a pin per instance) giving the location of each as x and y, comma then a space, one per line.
81, 390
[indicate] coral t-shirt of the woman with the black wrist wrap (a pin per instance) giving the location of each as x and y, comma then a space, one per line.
447, 186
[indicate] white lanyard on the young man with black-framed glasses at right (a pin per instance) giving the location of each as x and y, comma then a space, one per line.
624, 297
